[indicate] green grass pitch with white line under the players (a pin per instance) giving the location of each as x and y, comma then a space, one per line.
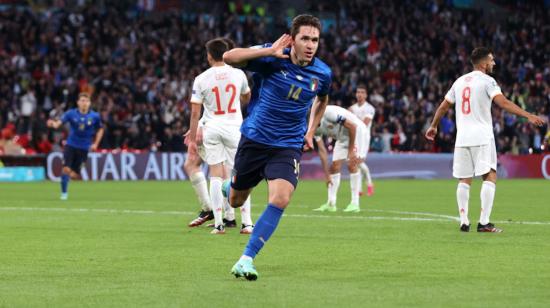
127, 244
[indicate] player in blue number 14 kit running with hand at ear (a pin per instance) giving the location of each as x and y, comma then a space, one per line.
292, 80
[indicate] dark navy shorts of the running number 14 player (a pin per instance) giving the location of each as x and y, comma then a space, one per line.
256, 161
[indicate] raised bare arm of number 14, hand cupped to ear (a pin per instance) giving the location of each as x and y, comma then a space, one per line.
239, 57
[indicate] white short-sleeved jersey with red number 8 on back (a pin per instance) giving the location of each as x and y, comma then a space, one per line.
472, 95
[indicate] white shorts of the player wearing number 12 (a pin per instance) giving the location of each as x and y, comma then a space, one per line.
220, 143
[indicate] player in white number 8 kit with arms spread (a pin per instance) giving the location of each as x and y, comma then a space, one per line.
475, 151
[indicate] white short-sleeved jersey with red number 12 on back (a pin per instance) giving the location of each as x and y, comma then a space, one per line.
219, 89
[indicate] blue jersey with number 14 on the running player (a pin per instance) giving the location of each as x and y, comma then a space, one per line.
285, 94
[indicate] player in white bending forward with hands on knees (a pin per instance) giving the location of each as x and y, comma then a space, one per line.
351, 135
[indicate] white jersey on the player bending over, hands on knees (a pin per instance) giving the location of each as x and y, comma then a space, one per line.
332, 123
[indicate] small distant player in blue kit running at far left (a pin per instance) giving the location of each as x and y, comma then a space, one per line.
84, 124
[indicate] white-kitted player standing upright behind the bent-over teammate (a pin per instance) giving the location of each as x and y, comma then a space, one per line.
365, 112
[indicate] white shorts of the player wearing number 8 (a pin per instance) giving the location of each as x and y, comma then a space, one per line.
474, 161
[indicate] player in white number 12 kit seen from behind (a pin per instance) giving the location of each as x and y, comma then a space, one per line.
220, 89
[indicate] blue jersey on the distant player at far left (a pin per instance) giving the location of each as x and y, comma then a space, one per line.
82, 127
